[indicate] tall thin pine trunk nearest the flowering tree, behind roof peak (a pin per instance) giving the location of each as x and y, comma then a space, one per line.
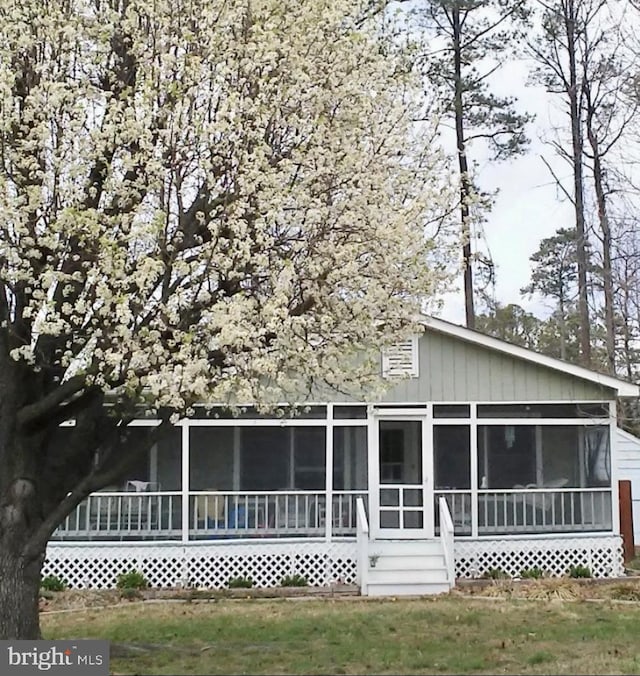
465, 183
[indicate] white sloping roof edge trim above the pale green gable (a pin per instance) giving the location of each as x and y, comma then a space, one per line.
622, 387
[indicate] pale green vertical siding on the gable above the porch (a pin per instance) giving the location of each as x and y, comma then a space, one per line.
454, 370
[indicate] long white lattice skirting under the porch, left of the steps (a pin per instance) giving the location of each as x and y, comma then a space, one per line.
202, 565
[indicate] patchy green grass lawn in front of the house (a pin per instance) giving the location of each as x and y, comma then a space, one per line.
447, 635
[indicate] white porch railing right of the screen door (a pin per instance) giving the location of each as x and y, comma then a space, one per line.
539, 510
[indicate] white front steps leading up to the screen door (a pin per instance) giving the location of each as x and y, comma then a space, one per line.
406, 568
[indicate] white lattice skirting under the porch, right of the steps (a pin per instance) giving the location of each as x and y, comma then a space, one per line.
602, 554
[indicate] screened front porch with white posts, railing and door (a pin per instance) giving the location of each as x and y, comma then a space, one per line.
503, 468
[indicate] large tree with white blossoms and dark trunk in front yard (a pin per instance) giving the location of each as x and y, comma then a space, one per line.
200, 200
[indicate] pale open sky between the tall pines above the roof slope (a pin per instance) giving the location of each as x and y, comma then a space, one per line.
528, 206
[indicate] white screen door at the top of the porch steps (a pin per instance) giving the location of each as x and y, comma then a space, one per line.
403, 493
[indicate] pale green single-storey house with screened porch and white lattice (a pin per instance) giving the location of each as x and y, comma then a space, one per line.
485, 455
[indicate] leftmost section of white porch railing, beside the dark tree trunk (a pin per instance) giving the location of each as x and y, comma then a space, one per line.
111, 515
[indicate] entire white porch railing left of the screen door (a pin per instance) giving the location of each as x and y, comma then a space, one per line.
212, 515
